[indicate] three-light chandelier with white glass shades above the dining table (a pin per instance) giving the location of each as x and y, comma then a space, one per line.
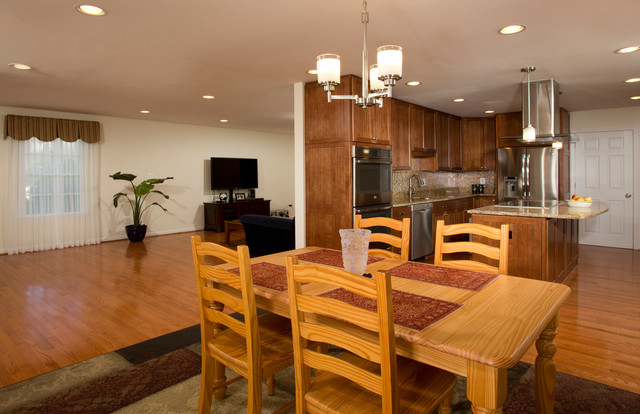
382, 76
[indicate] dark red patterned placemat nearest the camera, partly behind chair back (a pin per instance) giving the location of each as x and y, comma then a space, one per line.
410, 311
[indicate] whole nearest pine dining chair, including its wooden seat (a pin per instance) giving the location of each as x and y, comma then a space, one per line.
367, 377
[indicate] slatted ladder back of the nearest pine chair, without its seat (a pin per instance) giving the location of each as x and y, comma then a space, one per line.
319, 319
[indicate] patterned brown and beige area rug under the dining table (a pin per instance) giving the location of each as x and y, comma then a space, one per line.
162, 376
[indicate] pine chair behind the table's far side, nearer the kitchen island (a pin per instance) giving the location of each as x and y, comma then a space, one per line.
499, 253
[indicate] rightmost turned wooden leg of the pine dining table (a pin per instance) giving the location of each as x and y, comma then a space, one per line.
546, 368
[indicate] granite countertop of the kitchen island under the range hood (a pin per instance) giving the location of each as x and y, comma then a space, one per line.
561, 211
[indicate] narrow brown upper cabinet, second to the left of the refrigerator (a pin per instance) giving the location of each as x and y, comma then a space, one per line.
448, 144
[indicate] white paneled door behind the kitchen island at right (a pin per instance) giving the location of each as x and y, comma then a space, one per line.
604, 171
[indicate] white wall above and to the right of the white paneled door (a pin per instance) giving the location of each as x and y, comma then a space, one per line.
613, 120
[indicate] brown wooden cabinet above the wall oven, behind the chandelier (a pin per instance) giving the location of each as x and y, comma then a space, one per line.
341, 120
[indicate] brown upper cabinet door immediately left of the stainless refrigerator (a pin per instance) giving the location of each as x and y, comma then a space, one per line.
478, 144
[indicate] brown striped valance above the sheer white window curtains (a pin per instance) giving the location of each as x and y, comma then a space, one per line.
23, 128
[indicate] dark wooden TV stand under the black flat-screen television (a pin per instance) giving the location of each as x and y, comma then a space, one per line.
216, 213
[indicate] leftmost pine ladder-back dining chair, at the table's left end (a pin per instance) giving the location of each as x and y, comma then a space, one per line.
254, 347
